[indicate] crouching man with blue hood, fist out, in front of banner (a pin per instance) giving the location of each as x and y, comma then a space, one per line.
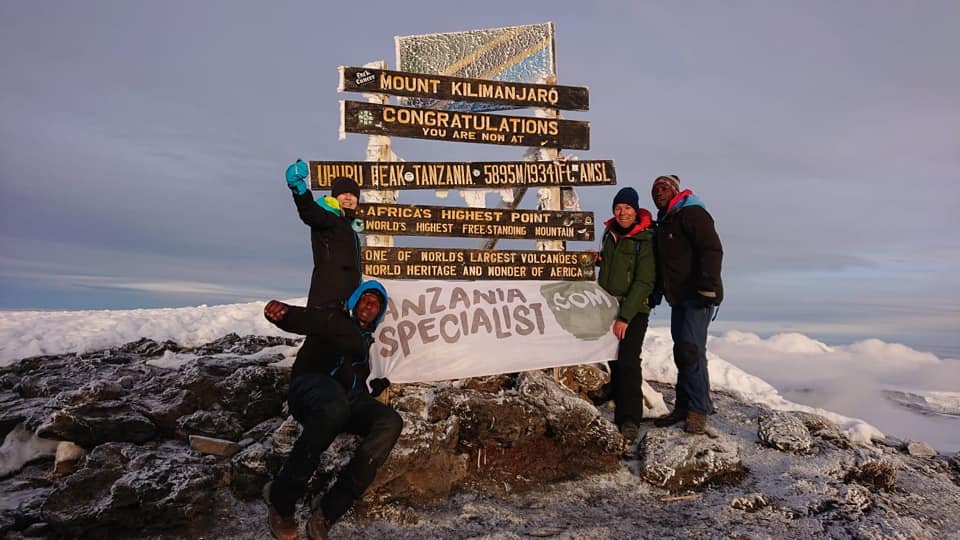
328, 395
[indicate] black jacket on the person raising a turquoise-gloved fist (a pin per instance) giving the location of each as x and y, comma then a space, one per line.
336, 250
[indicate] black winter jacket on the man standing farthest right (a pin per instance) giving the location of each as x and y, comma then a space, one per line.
689, 253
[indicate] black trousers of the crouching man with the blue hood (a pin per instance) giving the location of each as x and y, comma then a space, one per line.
325, 409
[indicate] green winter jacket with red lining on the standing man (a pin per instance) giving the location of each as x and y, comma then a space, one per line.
627, 269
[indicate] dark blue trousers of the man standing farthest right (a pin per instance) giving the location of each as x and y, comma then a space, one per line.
688, 326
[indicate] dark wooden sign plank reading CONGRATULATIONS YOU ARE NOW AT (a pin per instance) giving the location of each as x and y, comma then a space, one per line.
389, 120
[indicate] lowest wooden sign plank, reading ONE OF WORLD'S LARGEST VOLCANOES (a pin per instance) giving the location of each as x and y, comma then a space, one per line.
477, 264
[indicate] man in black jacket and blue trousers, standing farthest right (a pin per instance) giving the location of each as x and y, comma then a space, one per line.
689, 256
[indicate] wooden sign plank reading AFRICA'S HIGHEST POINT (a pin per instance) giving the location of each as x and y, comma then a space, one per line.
463, 222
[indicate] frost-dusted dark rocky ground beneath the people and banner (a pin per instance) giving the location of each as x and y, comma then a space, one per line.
143, 450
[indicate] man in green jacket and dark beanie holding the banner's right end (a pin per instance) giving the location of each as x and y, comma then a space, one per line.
627, 272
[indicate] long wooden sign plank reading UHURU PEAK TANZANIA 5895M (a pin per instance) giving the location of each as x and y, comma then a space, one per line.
441, 175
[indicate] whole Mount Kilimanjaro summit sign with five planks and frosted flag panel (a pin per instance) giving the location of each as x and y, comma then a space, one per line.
444, 83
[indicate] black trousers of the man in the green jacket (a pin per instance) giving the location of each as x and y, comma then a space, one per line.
626, 376
